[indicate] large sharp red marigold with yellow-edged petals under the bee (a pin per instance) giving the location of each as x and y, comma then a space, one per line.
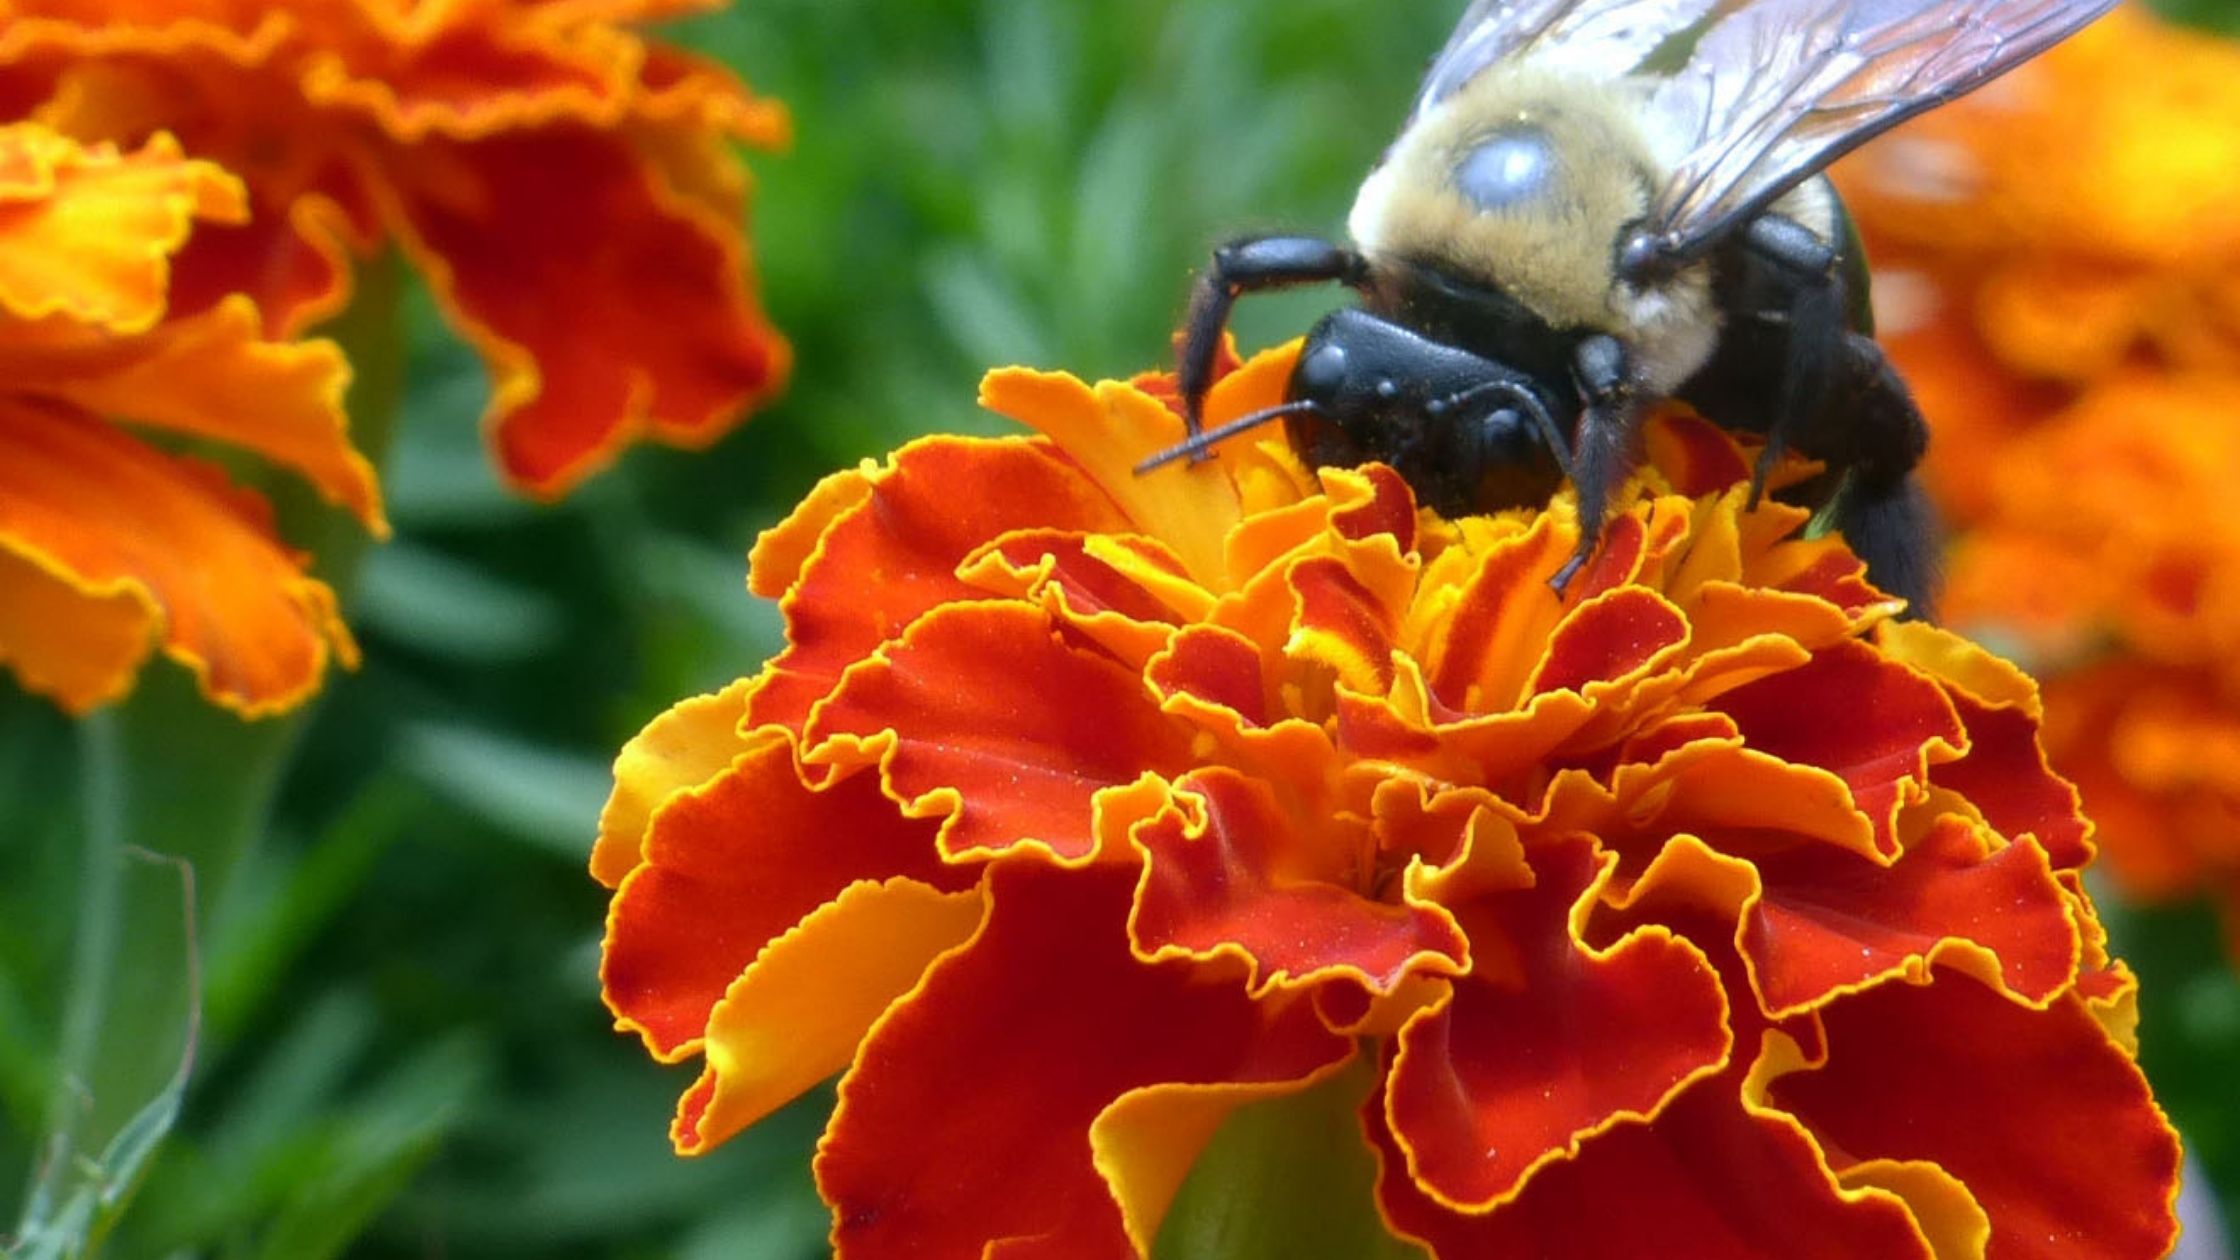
1701, 911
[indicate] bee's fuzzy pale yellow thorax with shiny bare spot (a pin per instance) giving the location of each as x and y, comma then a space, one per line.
1522, 183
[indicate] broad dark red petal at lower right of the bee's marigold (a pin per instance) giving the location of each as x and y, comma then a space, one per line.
2046, 1122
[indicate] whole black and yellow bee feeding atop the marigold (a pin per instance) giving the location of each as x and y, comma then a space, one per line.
1598, 205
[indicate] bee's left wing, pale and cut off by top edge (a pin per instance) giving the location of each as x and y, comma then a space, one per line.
1594, 39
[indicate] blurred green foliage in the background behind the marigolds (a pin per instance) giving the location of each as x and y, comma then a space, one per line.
404, 1050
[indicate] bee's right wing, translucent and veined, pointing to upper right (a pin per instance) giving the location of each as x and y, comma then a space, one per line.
1780, 89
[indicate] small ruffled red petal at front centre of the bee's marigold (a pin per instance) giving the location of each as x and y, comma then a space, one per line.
1280, 891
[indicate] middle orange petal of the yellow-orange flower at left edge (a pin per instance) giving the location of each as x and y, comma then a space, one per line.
214, 376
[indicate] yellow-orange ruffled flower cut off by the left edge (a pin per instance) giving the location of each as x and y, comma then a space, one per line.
111, 544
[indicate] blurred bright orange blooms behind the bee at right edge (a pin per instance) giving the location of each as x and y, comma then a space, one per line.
2057, 268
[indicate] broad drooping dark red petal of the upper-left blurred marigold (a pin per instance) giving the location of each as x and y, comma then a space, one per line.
523, 234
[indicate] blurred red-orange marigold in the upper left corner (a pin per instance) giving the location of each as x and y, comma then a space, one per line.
566, 187
